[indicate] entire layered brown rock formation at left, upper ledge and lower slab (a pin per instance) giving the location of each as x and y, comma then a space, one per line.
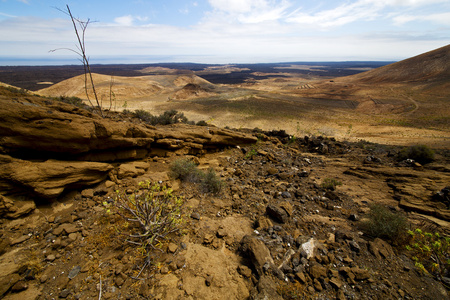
47, 146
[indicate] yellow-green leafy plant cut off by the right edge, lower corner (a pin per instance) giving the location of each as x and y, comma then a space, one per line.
430, 252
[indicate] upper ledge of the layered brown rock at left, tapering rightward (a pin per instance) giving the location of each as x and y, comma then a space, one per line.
33, 127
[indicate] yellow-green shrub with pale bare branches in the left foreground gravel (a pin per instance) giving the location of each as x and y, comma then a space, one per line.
154, 210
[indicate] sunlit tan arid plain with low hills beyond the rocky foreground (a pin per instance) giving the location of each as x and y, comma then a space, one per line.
402, 103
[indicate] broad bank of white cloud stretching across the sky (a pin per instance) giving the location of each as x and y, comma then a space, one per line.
247, 31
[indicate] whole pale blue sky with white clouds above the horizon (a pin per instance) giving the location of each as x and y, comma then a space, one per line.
222, 31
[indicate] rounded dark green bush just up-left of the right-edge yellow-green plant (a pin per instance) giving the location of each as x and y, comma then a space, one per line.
384, 223
